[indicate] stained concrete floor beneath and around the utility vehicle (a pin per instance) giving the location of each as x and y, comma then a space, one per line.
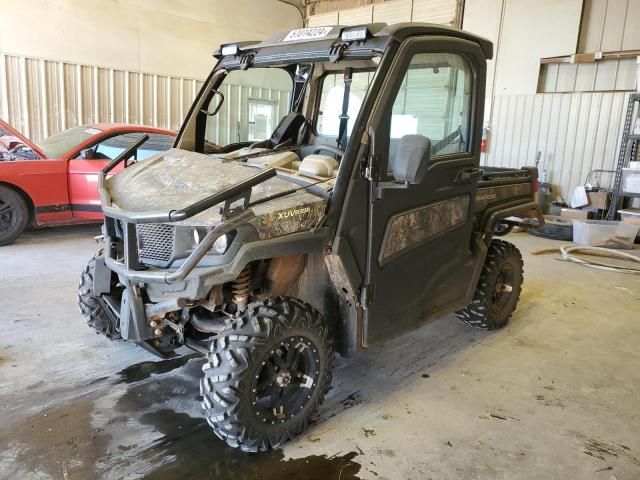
552, 396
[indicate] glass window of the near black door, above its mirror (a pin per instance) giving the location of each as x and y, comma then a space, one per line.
434, 100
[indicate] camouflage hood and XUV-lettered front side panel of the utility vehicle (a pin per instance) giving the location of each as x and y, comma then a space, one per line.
177, 178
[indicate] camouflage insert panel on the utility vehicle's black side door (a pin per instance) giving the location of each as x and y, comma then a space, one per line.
408, 229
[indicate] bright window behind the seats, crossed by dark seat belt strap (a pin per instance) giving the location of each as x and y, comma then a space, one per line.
331, 98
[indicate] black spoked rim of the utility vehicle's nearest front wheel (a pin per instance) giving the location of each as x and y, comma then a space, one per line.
285, 380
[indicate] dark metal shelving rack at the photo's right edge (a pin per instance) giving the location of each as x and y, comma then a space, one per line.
628, 151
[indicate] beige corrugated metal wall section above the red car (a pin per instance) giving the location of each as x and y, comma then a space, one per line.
41, 97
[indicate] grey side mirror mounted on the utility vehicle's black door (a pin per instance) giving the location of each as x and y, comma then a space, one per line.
412, 159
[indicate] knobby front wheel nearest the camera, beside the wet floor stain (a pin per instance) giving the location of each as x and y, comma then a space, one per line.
266, 376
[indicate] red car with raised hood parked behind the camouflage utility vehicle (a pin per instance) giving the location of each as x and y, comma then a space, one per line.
55, 182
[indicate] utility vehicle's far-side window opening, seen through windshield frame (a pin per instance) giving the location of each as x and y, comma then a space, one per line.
254, 101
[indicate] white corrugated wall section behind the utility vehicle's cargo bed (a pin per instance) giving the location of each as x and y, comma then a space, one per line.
576, 133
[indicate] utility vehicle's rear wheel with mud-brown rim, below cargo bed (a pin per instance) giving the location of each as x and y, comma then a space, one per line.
498, 289
